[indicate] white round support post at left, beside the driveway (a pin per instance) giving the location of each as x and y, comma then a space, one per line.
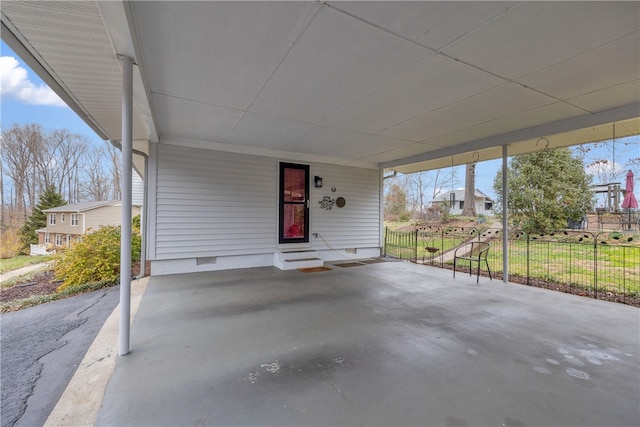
125, 236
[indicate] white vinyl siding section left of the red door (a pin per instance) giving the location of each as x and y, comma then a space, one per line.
213, 203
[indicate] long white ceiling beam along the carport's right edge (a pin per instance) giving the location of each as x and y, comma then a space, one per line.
610, 116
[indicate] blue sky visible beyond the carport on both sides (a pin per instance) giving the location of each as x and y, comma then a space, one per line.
25, 98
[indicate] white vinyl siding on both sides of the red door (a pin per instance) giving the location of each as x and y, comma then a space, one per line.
211, 203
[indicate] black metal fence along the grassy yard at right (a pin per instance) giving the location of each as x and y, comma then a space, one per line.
585, 262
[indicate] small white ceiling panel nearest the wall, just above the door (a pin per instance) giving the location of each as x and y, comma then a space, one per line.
272, 132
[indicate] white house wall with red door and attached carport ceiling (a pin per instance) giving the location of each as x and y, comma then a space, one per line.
263, 129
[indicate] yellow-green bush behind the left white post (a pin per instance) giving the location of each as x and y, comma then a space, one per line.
94, 258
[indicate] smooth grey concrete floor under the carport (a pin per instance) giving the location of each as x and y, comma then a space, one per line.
393, 344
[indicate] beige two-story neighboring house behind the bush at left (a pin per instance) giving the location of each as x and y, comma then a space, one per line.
69, 222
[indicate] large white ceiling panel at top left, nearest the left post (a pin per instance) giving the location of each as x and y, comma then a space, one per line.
220, 55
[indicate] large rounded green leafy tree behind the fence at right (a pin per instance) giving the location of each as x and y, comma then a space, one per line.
547, 189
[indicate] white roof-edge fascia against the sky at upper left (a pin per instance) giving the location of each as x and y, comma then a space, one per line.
27, 53
